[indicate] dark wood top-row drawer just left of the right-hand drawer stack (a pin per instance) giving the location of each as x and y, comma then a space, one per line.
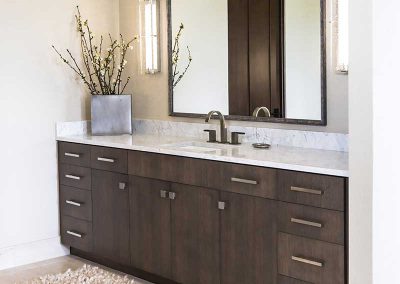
249, 180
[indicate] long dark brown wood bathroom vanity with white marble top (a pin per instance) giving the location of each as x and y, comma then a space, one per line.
170, 214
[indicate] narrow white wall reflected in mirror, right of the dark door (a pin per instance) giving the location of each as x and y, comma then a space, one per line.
303, 59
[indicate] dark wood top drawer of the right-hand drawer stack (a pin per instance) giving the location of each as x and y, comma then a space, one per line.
311, 189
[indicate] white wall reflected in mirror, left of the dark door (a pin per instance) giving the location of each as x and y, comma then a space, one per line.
205, 85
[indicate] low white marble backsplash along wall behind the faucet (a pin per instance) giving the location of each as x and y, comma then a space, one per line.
284, 137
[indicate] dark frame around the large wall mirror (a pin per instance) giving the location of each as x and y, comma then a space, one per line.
322, 122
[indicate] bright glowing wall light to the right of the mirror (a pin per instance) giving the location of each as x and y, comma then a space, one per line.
342, 63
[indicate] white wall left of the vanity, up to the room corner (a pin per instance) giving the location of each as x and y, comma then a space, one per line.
37, 91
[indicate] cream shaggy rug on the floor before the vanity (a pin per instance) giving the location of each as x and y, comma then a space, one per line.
85, 275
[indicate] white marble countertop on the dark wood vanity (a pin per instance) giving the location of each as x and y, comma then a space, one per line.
281, 157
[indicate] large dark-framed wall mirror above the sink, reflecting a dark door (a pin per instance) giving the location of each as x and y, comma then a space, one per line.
261, 60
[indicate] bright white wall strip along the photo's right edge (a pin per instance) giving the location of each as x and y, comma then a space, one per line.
386, 141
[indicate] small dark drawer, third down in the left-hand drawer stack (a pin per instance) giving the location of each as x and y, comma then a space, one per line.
76, 203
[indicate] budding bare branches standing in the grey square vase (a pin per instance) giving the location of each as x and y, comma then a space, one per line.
102, 67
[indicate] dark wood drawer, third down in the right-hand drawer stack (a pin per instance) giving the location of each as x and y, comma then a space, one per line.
310, 260
